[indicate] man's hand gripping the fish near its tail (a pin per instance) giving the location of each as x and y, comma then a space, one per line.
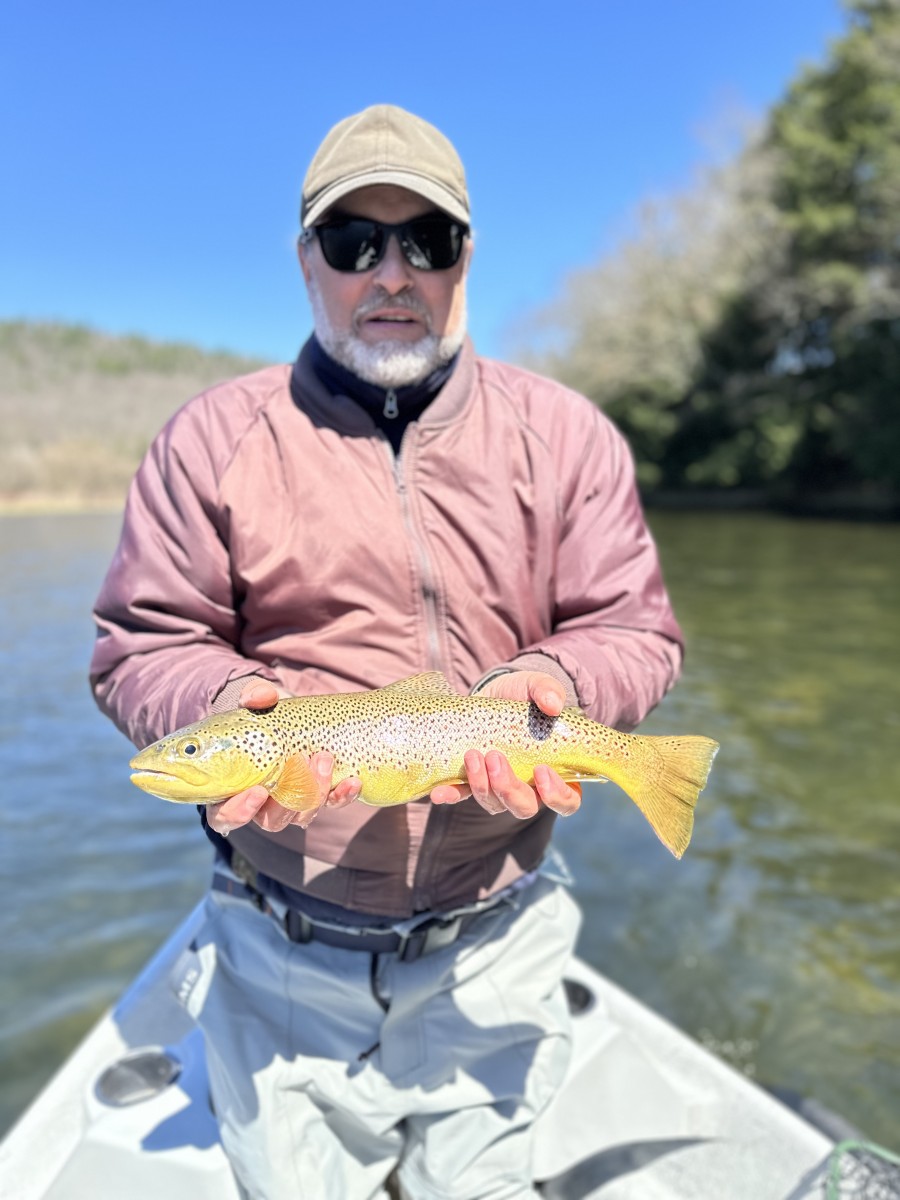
490, 777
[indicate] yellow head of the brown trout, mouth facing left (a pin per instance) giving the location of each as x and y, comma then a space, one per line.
209, 761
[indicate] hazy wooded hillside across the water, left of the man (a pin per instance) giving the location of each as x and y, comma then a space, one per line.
80, 407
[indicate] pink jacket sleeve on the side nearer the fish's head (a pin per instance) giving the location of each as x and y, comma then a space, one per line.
169, 632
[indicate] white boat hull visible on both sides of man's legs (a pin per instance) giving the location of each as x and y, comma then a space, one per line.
645, 1114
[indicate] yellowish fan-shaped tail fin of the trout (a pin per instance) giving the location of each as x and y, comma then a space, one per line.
668, 793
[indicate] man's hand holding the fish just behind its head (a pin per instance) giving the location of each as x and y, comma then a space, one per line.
256, 805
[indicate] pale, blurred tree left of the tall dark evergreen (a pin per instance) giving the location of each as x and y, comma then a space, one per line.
633, 332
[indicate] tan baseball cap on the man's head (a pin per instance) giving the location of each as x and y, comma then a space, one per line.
385, 145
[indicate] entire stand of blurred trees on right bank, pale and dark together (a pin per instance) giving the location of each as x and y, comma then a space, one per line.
749, 334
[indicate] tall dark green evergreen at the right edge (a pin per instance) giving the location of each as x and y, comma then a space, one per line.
837, 141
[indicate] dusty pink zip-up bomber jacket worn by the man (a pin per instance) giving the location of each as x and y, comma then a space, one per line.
275, 535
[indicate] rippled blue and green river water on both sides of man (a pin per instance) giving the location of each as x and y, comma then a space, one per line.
776, 941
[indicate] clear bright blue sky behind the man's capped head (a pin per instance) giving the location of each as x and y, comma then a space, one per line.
152, 154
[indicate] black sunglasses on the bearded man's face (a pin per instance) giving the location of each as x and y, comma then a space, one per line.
356, 244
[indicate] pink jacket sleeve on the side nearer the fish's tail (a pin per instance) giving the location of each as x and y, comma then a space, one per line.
615, 634
